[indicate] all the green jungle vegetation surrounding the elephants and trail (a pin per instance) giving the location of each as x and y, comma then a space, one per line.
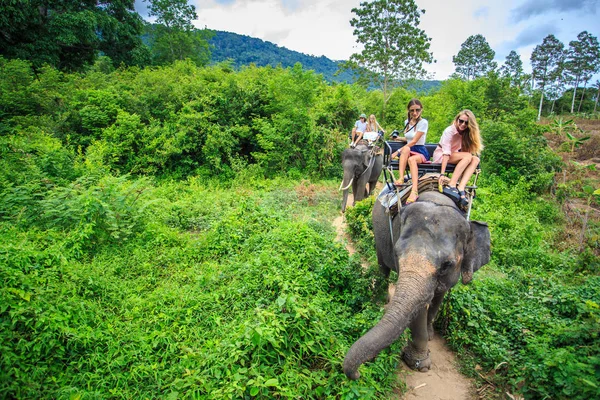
165, 223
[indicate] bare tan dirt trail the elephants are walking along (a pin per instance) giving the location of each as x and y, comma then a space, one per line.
442, 381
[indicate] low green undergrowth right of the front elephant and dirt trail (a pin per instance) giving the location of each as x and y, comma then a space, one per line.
528, 318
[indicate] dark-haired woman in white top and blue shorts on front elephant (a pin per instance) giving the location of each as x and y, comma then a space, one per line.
414, 152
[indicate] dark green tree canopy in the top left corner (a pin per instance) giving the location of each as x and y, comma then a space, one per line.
70, 35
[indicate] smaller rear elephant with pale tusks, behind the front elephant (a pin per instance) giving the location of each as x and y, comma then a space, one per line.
361, 166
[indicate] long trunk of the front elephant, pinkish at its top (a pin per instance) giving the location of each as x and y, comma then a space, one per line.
414, 291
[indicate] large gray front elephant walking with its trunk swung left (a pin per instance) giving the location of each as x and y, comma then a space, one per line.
433, 245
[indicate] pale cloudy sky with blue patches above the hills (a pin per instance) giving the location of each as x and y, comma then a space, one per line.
322, 27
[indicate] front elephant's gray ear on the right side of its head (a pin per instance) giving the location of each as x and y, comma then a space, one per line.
477, 250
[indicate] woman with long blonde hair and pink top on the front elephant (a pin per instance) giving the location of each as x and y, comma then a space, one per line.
460, 144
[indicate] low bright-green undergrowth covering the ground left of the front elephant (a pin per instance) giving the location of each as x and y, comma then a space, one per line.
252, 298
